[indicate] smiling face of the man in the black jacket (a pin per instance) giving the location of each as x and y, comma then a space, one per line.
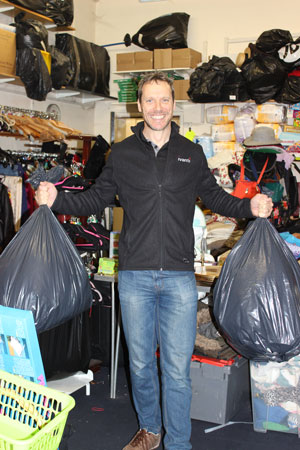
157, 105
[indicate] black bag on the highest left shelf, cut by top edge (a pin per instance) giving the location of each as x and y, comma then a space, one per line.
60, 11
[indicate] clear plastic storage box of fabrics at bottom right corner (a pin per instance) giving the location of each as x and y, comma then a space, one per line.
275, 395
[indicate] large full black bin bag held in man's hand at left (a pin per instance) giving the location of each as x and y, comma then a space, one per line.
41, 271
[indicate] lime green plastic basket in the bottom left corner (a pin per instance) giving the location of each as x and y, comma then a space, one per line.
32, 417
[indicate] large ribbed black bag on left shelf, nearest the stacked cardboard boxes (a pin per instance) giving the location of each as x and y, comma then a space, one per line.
90, 63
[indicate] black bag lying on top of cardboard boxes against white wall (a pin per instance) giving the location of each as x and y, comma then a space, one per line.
168, 31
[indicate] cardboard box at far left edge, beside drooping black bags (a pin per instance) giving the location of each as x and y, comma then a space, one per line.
7, 52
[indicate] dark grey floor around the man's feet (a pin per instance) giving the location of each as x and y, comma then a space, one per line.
100, 423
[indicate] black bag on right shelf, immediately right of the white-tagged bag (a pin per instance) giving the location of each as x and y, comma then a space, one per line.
264, 75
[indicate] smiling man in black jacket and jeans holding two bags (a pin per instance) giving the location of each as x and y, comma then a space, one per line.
158, 174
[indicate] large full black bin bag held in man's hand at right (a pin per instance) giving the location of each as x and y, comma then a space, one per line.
257, 296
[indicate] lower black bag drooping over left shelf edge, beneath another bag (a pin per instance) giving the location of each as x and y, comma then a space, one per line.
32, 69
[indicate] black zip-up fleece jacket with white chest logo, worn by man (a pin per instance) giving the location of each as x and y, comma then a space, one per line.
157, 228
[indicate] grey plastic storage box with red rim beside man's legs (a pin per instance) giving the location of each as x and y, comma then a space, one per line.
219, 388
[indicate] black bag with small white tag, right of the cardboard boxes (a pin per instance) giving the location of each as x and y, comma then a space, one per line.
217, 80
